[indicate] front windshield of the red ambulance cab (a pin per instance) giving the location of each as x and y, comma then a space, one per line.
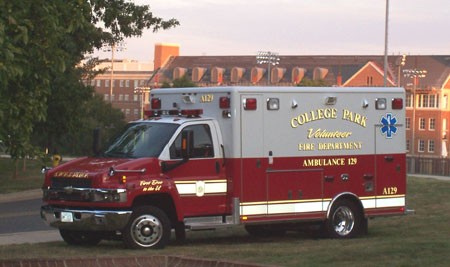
141, 140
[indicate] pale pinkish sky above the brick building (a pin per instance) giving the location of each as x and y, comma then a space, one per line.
295, 27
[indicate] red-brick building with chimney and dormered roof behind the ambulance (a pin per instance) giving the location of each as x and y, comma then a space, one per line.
427, 78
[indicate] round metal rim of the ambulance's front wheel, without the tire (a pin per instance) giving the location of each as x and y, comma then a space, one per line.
147, 230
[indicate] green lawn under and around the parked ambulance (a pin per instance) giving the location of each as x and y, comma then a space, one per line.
421, 239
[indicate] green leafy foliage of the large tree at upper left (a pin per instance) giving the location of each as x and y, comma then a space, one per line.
41, 45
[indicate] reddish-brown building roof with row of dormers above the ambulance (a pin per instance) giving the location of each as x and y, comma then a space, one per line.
344, 66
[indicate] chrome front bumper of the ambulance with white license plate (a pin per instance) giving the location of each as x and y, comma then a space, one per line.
85, 220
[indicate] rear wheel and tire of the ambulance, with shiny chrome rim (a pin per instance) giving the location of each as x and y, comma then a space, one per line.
345, 221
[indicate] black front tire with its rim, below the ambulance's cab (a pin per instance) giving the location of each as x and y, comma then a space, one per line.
149, 227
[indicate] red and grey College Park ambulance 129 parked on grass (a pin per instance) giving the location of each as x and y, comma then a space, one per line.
269, 159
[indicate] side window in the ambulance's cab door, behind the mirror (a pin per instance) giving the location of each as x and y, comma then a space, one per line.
202, 147
